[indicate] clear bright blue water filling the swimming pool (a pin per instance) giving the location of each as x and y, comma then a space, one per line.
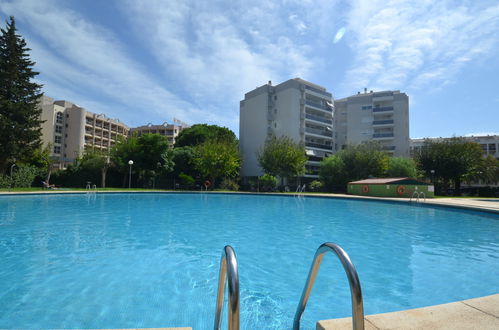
151, 260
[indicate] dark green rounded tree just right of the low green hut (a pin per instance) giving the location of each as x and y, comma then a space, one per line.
451, 160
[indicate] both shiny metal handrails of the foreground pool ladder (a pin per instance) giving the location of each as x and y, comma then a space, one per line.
228, 273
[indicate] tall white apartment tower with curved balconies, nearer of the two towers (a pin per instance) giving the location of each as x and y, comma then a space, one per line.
295, 108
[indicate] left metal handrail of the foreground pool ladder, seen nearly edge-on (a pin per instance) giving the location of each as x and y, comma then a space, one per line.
228, 273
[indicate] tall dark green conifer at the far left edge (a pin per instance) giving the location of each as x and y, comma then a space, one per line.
20, 115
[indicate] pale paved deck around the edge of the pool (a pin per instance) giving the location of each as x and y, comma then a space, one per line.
479, 313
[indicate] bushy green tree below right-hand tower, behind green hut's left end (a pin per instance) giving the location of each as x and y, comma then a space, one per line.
356, 162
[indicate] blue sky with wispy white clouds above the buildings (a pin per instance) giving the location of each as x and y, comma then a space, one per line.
153, 60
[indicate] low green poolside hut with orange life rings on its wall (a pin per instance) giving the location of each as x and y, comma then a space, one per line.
390, 187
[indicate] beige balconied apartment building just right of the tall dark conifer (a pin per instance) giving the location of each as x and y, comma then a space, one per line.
70, 129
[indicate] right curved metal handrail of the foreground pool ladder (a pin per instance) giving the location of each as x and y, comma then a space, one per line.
353, 280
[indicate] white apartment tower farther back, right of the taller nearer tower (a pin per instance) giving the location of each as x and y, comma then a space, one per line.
379, 116
